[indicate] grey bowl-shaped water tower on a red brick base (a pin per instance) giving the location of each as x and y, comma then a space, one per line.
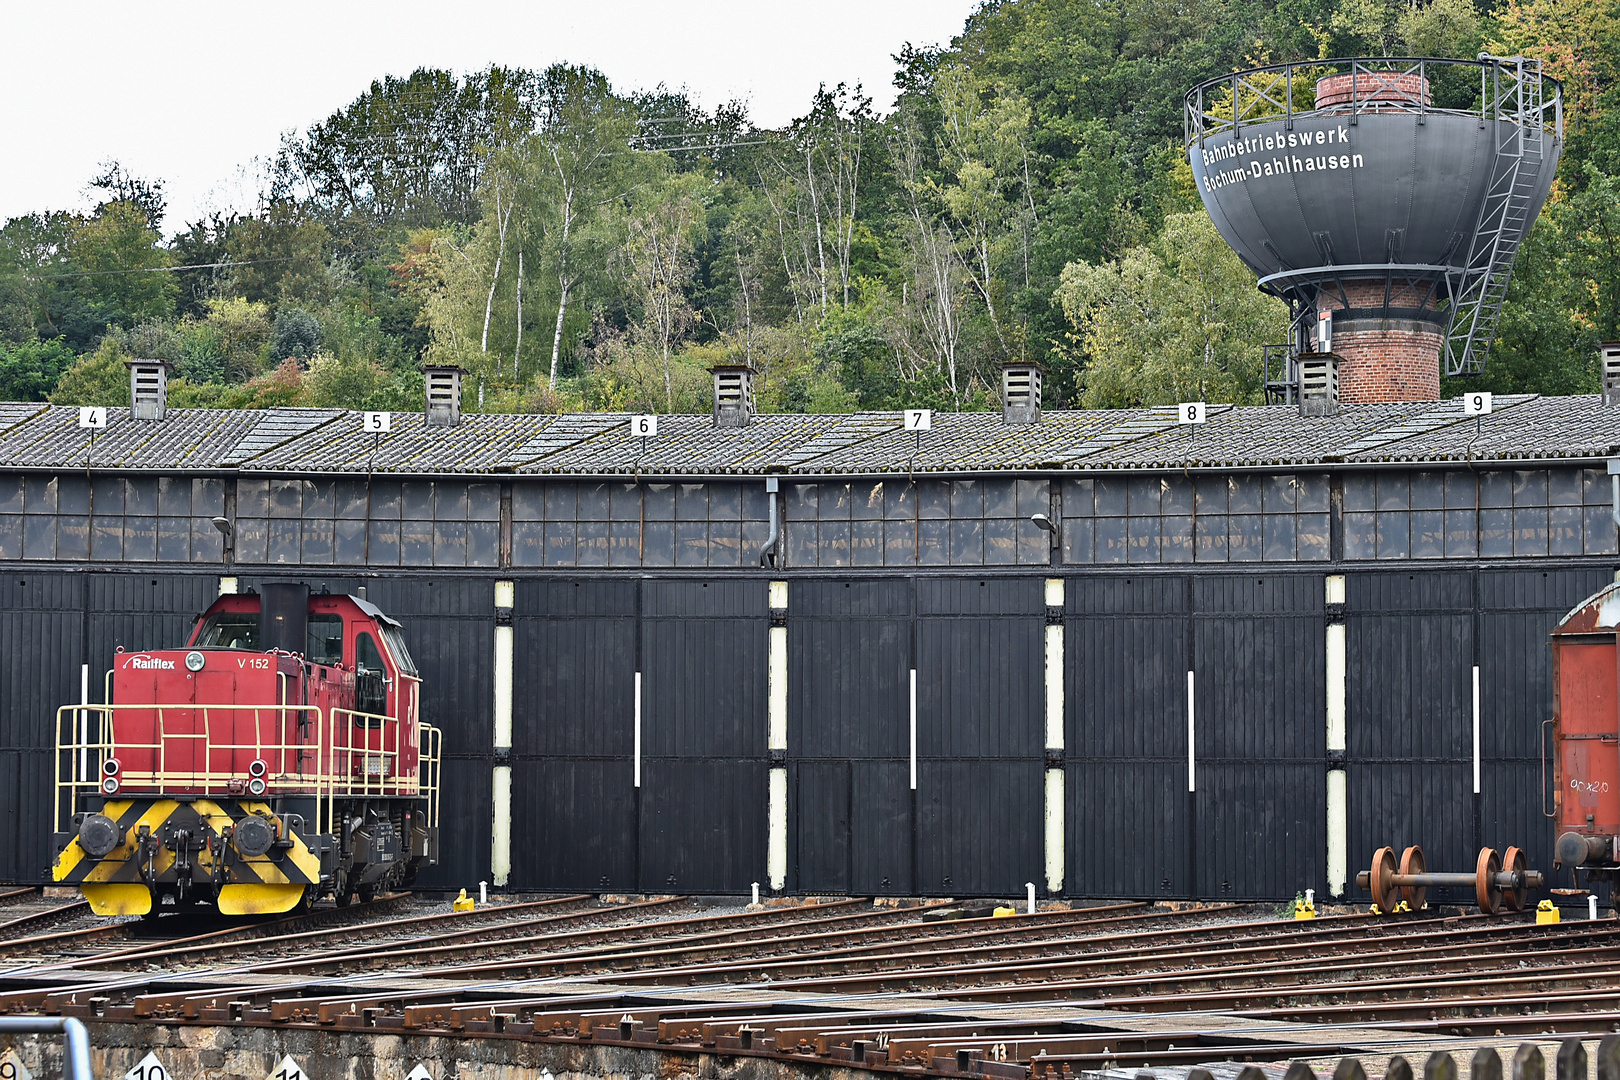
1384, 200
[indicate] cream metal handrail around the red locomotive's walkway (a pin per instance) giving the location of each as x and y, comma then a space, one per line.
242, 750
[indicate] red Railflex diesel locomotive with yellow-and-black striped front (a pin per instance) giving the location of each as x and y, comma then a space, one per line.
276, 759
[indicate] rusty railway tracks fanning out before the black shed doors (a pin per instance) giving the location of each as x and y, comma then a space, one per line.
858, 985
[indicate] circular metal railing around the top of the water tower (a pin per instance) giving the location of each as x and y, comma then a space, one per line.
1507, 88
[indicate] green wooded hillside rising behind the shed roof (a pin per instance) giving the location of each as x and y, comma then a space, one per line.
584, 247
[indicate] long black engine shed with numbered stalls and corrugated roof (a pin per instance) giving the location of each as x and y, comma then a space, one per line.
1102, 652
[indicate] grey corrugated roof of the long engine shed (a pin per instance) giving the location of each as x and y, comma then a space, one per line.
600, 444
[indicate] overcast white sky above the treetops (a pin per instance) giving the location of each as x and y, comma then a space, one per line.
192, 93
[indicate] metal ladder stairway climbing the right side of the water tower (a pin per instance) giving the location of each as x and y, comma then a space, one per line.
1519, 156
